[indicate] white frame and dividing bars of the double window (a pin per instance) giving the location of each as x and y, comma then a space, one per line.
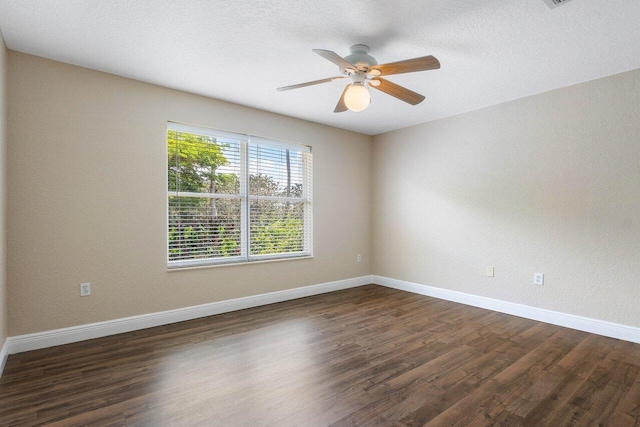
245, 142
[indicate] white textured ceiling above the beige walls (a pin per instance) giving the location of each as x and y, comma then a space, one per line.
491, 51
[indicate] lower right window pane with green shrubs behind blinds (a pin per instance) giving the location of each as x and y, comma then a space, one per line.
276, 227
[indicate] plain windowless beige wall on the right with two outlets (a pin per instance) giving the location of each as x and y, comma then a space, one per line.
549, 183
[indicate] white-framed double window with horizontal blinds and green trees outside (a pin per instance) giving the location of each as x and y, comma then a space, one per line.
235, 198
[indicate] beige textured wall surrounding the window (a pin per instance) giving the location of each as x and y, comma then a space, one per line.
87, 198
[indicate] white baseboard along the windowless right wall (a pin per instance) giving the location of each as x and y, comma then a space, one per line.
594, 326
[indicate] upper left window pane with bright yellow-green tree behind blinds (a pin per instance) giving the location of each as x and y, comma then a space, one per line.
202, 164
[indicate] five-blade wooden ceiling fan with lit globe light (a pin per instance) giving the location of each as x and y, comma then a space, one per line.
364, 72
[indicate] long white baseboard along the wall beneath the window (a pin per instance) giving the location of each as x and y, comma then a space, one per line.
55, 337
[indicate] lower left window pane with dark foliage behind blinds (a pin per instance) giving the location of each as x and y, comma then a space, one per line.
203, 228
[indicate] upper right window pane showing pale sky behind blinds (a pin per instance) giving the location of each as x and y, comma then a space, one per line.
275, 171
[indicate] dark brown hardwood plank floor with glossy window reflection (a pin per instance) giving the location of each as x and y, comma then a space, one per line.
363, 356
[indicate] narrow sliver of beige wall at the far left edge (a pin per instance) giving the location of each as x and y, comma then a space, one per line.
3, 228
